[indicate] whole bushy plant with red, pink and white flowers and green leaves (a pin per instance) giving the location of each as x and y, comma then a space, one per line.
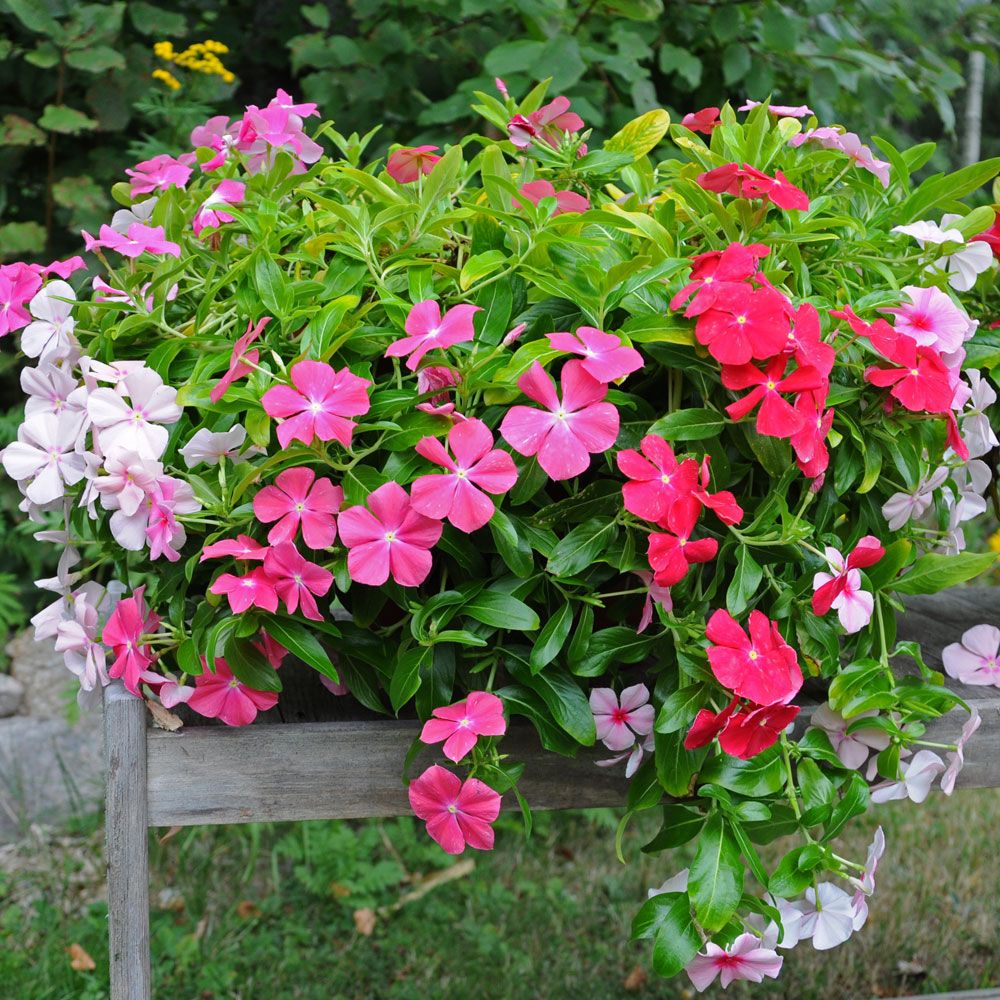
525, 428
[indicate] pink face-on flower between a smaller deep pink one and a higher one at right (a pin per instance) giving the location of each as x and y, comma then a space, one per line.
391, 538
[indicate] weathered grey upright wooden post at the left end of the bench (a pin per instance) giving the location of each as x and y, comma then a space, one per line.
127, 845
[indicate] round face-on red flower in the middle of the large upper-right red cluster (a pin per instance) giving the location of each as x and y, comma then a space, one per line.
744, 323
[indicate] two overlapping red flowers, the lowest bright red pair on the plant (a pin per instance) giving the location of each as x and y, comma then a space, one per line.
763, 673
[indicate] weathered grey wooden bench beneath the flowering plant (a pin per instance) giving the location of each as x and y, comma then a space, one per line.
316, 756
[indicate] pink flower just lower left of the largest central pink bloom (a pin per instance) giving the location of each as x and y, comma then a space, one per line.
454, 495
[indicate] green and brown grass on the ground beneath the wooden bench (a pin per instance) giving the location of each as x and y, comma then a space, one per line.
273, 912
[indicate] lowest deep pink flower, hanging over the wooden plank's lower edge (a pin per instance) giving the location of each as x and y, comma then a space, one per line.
457, 813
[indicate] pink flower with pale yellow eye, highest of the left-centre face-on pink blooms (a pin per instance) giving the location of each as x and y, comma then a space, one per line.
320, 405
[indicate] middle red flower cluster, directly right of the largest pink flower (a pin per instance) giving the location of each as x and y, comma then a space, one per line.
672, 494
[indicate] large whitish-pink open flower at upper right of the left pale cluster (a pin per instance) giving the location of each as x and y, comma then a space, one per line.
135, 425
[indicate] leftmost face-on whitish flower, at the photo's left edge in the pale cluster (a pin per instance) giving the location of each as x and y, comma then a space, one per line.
44, 459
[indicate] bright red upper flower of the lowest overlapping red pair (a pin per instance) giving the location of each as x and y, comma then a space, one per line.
761, 667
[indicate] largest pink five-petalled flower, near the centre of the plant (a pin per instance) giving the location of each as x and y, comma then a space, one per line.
575, 427
